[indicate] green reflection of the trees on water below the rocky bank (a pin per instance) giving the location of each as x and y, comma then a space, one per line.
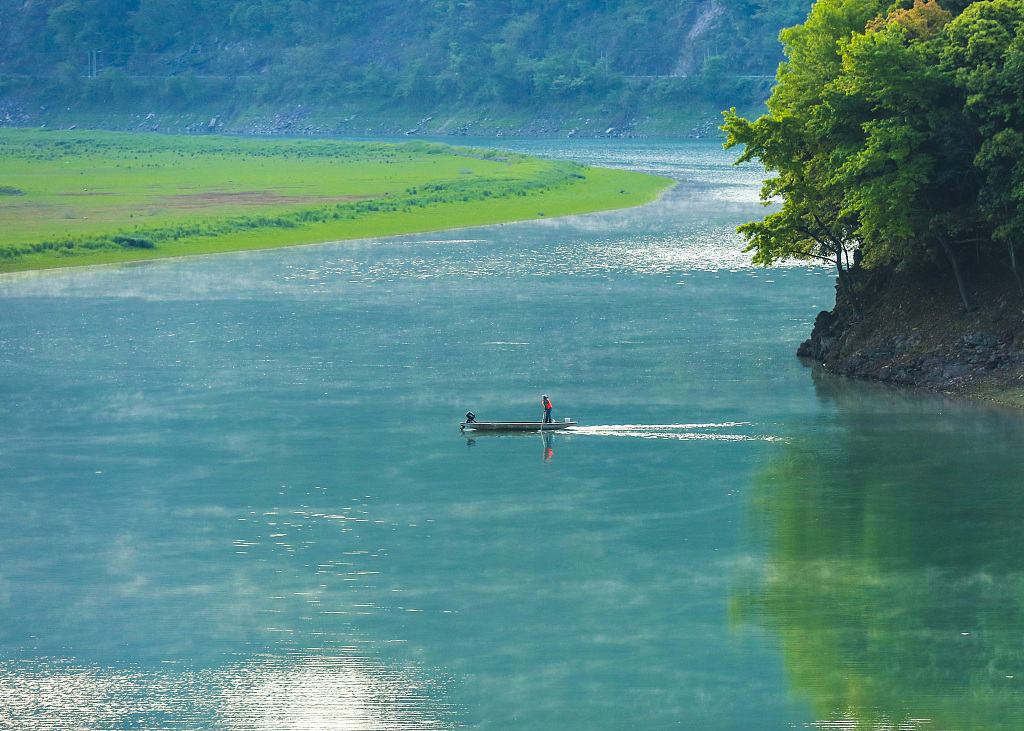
894, 568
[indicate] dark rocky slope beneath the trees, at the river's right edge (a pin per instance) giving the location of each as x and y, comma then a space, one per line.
914, 331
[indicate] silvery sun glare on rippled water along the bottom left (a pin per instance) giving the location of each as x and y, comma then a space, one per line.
339, 694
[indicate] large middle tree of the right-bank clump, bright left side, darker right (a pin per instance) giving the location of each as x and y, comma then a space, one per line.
912, 184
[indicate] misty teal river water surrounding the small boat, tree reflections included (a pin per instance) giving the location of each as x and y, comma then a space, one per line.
234, 493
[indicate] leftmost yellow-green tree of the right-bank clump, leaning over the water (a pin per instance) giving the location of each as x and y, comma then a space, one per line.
801, 141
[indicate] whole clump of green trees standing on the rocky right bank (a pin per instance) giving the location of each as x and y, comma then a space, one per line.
894, 138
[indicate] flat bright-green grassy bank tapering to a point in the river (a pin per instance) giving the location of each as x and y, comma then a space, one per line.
72, 198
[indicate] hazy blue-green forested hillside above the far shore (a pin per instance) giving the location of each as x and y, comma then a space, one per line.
628, 56
